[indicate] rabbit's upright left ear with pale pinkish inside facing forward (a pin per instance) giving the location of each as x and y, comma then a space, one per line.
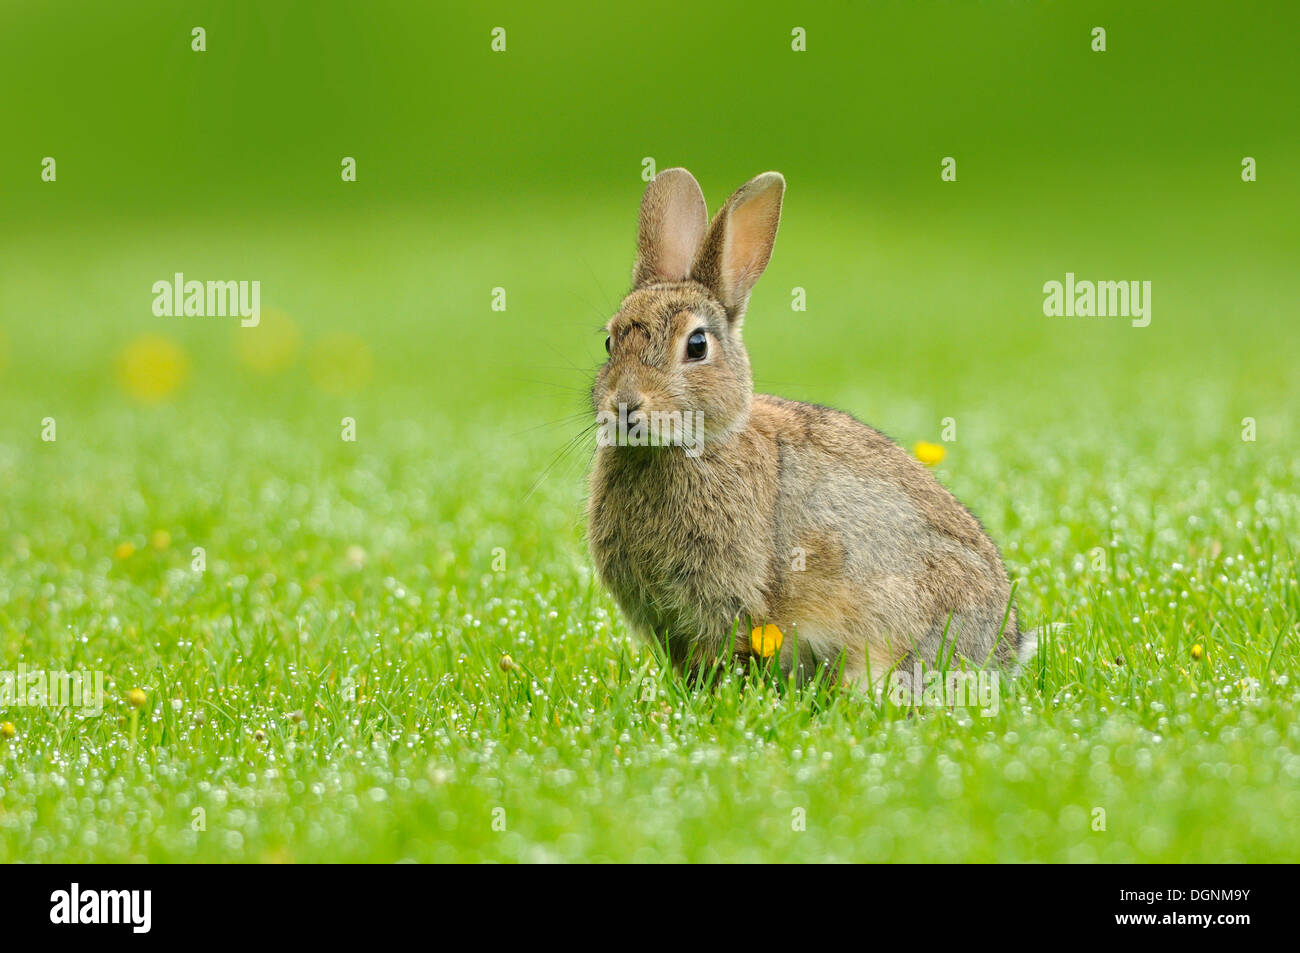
674, 219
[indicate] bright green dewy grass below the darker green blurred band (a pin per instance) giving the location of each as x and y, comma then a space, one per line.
331, 688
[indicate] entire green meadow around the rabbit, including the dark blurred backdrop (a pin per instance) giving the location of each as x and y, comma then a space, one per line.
395, 648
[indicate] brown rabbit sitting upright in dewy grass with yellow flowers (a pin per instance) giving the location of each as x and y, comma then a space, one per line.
781, 513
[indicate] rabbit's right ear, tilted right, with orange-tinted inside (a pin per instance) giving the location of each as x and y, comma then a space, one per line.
740, 242
